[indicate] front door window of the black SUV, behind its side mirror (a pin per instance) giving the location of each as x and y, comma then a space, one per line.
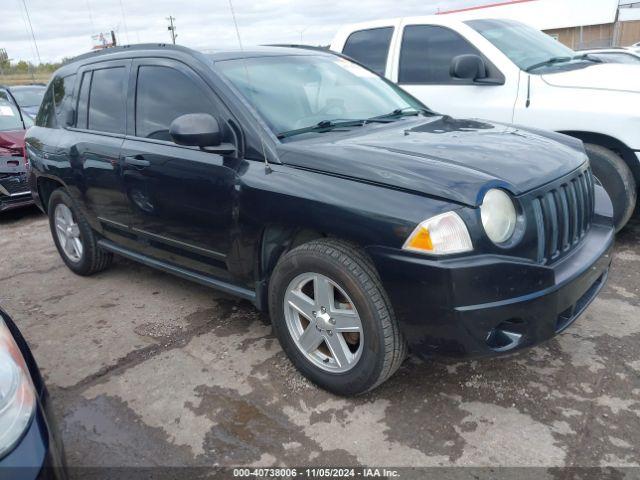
163, 94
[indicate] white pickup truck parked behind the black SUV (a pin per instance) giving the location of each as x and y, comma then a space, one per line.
506, 71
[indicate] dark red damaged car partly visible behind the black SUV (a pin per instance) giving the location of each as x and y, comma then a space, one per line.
14, 190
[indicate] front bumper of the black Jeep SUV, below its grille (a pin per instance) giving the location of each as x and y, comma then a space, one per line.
488, 305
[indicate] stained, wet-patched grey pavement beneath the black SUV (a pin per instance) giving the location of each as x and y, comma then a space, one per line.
147, 369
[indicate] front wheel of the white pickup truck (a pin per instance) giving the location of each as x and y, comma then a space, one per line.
617, 179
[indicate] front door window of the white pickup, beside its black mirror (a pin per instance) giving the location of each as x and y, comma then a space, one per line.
426, 54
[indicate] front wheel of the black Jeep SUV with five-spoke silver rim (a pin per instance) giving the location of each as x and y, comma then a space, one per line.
333, 318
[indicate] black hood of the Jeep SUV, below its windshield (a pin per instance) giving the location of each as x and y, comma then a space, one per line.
440, 156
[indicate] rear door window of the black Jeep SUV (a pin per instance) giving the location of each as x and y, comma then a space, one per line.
107, 100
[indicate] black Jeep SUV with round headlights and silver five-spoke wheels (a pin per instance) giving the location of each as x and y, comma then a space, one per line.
362, 221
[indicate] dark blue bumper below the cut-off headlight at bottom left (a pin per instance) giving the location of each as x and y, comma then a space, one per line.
39, 455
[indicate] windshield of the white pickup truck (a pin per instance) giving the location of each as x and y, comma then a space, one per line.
524, 45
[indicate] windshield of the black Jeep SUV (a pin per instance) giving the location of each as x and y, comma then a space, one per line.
299, 91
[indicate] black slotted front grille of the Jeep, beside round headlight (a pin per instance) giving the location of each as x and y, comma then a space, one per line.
563, 216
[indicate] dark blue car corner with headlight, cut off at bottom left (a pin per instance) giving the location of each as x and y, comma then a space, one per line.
30, 444
